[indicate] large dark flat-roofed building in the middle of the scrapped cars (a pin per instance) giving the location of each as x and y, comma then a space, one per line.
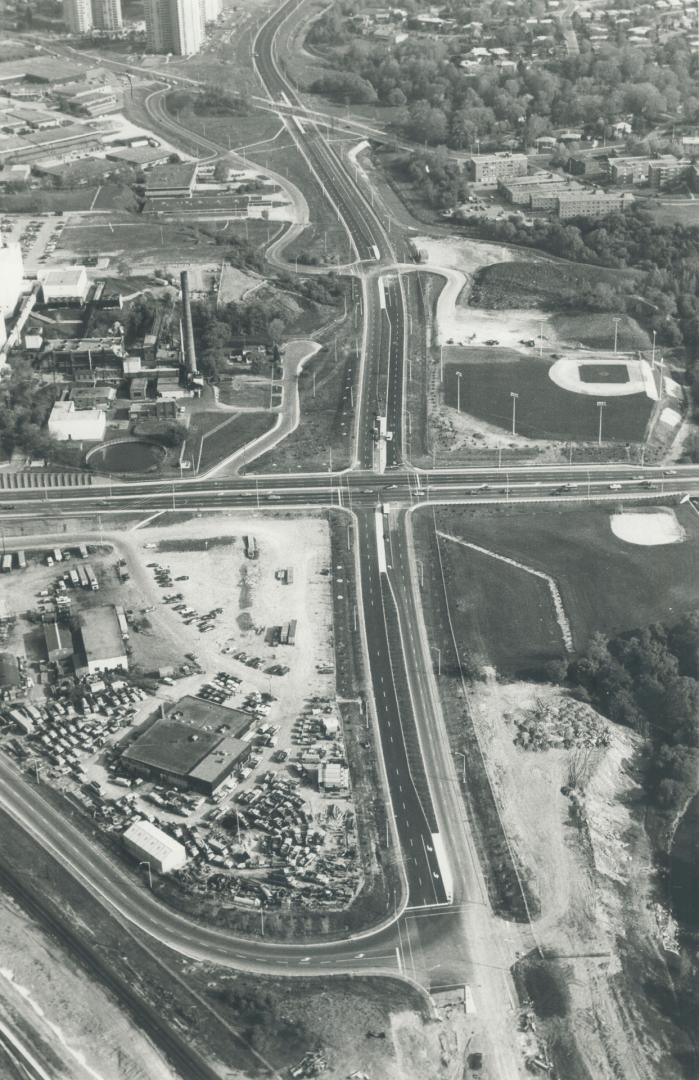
196, 747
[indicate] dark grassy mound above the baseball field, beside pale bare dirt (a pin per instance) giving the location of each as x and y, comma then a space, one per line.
541, 283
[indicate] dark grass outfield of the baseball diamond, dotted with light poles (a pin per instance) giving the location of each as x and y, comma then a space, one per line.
544, 411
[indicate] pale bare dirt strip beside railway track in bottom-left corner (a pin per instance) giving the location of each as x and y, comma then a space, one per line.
65, 1019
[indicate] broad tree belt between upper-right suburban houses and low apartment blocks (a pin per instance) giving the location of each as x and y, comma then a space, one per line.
443, 104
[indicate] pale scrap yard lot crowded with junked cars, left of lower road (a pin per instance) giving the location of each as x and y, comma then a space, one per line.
216, 731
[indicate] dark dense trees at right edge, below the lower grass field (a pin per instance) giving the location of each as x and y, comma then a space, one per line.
650, 682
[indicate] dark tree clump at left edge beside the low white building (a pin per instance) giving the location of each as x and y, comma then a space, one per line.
25, 404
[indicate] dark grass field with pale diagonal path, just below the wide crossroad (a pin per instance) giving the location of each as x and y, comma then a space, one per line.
606, 584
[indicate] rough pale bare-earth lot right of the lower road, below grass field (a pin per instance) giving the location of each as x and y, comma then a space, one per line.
588, 862
